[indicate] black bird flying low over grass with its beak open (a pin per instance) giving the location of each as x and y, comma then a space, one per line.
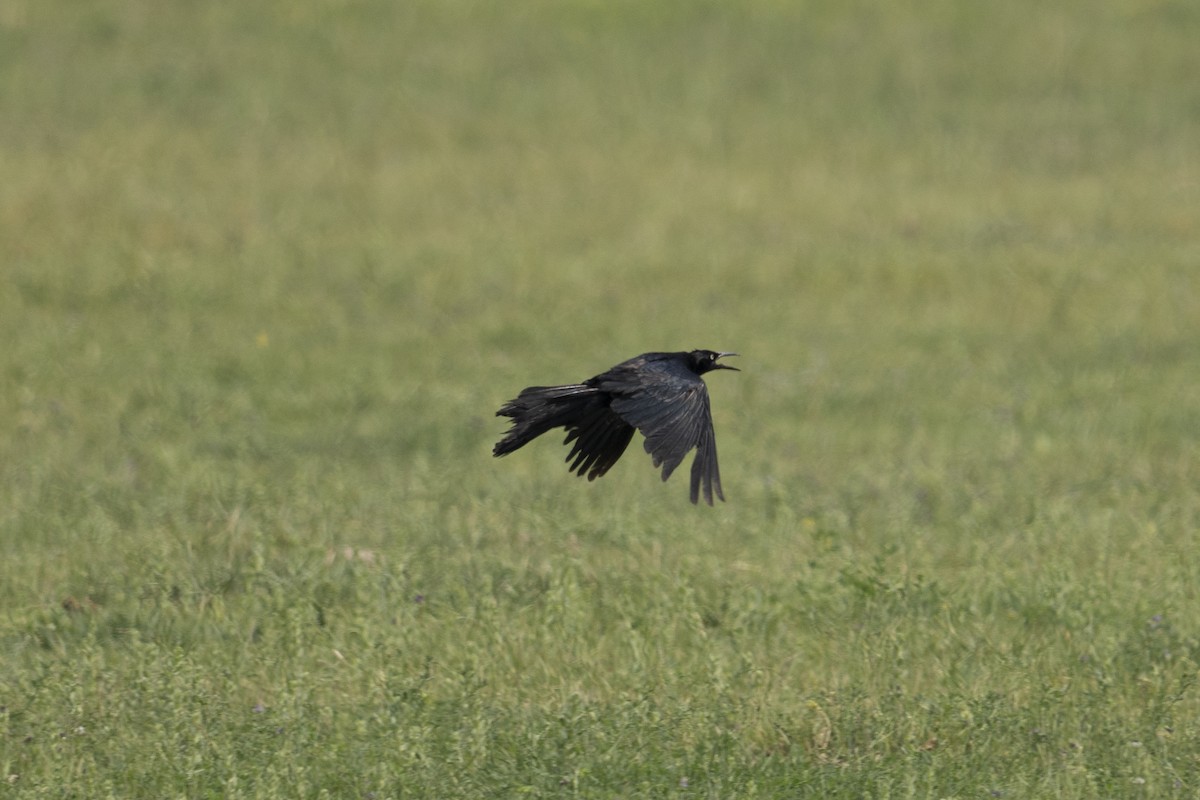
659, 394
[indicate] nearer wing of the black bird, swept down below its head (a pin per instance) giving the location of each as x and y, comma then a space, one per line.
670, 406
